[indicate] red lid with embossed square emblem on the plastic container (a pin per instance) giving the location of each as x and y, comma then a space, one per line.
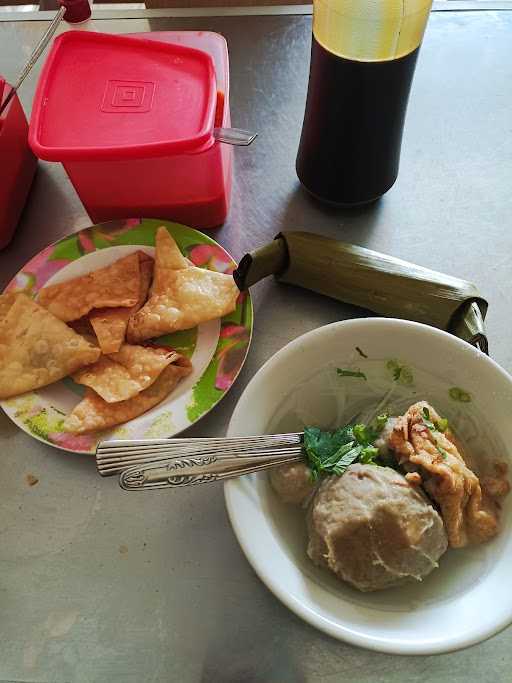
113, 97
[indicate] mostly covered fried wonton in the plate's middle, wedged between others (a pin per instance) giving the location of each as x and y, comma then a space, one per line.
110, 323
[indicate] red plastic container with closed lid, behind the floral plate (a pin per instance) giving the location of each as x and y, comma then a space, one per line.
131, 118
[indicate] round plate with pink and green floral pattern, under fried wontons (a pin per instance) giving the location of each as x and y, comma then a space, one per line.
217, 348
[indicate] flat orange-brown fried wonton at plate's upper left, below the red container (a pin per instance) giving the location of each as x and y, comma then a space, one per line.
115, 285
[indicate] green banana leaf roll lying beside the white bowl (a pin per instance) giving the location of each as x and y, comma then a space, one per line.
383, 284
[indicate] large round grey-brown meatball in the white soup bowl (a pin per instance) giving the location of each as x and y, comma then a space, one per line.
373, 529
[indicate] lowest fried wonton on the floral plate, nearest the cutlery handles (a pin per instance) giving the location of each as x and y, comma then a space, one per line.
93, 413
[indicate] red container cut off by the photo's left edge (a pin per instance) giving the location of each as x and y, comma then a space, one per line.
17, 166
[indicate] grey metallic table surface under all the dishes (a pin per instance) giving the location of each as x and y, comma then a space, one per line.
104, 586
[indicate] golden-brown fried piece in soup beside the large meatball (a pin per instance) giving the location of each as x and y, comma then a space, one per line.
421, 447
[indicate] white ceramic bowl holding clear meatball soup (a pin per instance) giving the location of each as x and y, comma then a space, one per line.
463, 602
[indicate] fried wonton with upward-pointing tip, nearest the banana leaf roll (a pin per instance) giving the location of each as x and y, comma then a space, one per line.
182, 295
